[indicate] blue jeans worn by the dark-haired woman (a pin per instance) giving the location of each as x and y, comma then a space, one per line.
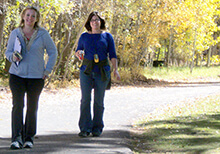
87, 83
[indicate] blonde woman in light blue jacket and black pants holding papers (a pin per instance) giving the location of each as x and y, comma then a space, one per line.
27, 74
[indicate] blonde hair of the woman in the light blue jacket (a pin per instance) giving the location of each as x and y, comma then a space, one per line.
37, 24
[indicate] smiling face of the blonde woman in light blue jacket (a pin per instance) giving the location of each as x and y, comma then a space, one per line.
30, 17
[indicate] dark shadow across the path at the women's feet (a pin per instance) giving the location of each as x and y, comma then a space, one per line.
112, 141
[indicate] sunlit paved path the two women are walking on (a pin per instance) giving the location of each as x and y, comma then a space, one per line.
59, 113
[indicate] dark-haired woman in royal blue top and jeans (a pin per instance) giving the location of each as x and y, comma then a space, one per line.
98, 46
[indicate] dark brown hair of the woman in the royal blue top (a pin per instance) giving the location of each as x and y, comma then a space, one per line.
87, 24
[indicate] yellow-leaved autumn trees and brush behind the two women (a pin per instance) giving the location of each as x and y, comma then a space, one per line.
178, 32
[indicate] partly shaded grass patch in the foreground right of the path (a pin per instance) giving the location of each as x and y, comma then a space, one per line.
192, 127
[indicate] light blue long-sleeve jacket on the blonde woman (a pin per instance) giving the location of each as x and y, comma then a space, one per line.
33, 64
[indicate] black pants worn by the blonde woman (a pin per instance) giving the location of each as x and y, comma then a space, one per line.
24, 130
